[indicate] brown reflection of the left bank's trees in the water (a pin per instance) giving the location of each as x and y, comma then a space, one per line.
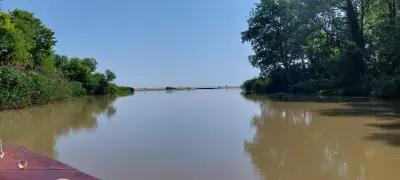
37, 128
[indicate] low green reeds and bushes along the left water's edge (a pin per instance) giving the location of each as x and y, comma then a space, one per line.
25, 88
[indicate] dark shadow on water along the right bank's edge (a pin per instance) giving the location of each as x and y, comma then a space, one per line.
387, 113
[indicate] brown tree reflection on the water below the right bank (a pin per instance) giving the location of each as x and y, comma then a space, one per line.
305, 140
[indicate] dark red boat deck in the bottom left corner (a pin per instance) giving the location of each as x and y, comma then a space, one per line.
39, 167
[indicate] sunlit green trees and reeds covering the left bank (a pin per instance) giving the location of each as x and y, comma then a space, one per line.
31, 73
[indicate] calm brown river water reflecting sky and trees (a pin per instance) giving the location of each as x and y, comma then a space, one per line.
212, 134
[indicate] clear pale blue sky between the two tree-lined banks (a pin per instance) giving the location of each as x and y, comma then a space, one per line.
152, 43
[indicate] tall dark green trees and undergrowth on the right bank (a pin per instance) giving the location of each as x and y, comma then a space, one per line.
329, 47
